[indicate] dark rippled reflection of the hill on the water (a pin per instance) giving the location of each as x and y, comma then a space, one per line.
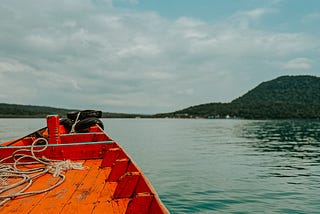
292, 138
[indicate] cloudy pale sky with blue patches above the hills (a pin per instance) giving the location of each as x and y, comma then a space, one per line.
148, 56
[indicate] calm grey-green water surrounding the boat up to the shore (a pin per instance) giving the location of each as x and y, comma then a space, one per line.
218, 166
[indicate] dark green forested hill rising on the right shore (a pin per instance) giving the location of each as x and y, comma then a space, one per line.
286, 97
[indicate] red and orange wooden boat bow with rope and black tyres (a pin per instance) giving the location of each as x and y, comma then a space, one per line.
58, 170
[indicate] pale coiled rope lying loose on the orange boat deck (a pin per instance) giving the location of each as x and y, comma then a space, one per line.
14, 181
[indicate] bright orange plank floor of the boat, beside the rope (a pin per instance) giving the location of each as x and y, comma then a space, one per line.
83, 191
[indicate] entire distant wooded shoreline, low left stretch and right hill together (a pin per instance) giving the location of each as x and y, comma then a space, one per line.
286, 97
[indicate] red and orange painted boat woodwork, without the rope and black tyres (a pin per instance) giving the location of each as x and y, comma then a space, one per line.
109, 183
